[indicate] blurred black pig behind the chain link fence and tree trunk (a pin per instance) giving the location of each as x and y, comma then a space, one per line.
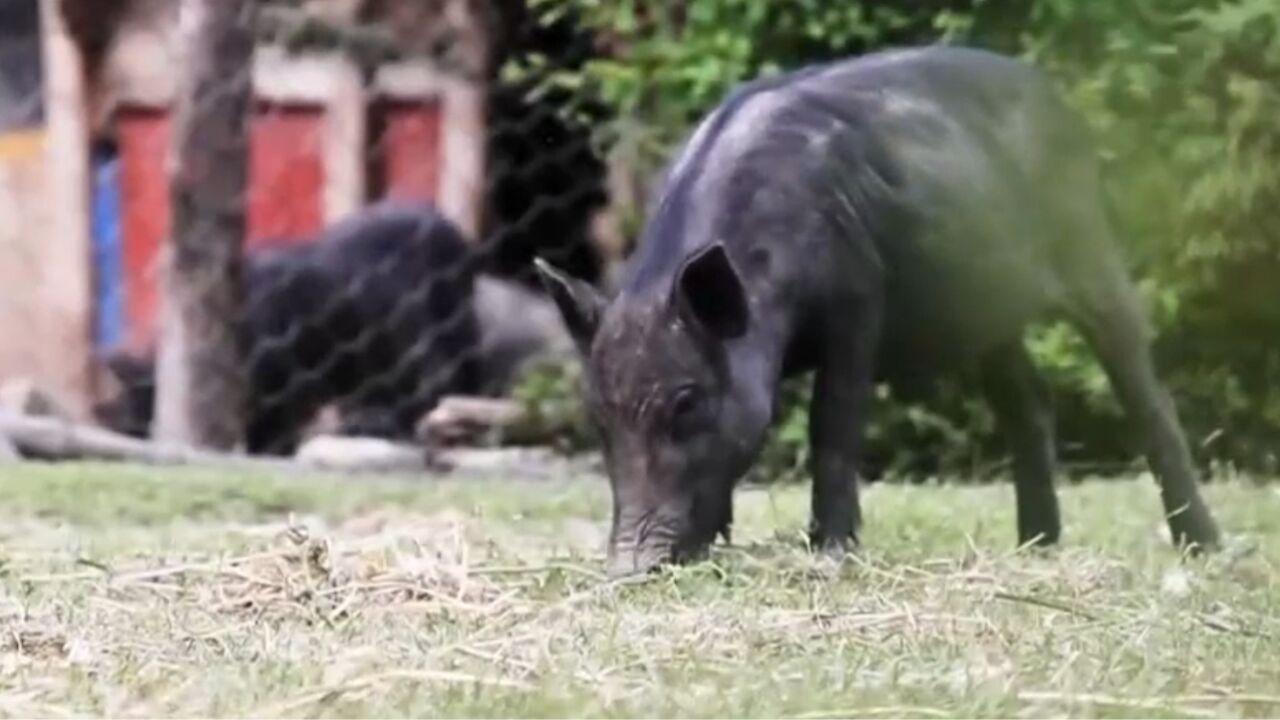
376, 316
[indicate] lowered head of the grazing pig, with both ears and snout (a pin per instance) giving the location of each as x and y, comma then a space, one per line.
680, 403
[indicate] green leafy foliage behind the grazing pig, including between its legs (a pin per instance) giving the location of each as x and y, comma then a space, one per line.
1183, 98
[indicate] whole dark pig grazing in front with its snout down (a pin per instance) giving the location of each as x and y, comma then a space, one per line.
903, 213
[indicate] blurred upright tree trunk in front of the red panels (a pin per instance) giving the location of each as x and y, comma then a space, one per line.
202, 368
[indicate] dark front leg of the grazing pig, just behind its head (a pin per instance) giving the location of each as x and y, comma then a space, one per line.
843, 393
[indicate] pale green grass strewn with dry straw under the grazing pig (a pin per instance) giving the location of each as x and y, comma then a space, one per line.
129, 593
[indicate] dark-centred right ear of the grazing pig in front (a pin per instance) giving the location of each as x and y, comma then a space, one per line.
711, 293
